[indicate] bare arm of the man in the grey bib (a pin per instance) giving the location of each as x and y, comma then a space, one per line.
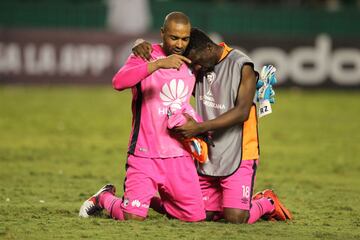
236, 115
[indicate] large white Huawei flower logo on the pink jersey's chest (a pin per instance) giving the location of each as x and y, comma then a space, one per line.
174, 94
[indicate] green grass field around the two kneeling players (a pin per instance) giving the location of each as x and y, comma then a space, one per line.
59, 145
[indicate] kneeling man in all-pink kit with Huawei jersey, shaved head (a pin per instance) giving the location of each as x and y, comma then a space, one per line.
156, 162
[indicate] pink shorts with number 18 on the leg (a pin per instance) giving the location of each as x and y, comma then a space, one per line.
234, 191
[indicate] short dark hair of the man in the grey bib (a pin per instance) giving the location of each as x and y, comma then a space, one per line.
198, 41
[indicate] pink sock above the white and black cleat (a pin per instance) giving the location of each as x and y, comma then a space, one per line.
112, 205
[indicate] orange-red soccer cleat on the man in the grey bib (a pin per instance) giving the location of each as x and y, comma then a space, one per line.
280, 213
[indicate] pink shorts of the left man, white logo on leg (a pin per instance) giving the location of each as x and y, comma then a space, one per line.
174, 178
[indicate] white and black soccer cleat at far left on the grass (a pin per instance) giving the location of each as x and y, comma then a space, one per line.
91, 206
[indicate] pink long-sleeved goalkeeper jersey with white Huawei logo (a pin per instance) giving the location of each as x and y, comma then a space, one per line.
153, 95
